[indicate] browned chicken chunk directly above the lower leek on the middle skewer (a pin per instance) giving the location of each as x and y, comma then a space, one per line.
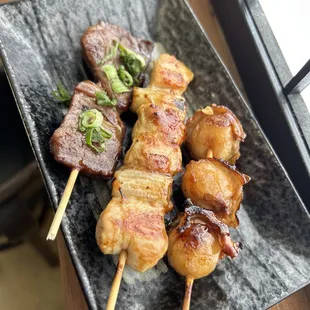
150, 154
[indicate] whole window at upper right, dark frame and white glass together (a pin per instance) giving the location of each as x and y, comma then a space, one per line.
269, 40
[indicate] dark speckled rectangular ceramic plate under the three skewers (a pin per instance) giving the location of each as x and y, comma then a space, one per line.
40, 45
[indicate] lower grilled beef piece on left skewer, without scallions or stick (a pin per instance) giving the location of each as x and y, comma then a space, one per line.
68, 144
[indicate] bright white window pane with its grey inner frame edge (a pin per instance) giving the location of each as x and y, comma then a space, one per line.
283, 26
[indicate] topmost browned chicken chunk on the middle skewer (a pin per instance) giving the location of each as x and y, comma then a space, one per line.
170, 74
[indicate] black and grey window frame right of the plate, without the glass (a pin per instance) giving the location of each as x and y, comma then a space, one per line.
265, 74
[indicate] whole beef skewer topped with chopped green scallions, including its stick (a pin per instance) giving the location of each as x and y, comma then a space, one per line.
117, 60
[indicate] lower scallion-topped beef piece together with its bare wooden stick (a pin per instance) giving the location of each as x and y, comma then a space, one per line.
89, 141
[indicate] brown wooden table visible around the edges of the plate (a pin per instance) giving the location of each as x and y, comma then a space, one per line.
73, 294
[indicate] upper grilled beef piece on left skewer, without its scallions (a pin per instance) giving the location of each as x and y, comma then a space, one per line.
103, 45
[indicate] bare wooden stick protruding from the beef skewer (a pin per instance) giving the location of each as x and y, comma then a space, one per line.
62, 205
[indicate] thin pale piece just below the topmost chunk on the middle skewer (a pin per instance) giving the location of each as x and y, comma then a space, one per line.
159, 97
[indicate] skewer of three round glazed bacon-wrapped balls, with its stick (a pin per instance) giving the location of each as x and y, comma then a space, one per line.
202, 237
